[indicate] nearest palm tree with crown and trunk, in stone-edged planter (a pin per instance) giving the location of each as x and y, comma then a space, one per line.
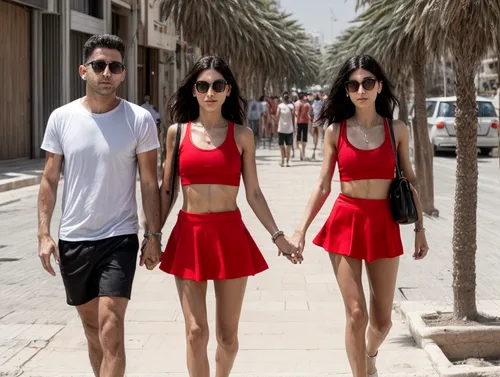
469, 28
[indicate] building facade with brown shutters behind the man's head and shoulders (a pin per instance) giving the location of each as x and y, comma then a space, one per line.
44, 40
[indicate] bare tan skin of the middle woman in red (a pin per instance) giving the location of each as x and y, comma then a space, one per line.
211, 198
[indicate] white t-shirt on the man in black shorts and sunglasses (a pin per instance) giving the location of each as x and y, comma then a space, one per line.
100, 167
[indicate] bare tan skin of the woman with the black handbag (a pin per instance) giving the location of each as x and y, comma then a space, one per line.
382, 274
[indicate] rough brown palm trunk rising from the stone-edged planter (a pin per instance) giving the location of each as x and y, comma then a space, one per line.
465, 211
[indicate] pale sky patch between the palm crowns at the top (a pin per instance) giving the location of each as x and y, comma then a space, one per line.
316, 15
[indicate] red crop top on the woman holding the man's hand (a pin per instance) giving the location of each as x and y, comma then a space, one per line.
220, 165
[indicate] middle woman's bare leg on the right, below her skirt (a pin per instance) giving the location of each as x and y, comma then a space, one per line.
229, 299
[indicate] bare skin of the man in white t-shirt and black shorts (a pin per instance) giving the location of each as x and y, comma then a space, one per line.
102, 317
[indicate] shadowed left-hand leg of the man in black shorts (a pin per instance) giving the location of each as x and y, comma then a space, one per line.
89, 315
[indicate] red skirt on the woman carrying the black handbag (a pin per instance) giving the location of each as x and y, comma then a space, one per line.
361, 229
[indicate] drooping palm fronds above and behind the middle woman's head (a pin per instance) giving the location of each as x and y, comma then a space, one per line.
260, 42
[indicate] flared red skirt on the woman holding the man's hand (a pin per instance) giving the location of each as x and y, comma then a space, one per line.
211, 246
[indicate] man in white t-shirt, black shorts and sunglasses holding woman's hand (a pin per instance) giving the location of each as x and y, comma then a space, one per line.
102, 140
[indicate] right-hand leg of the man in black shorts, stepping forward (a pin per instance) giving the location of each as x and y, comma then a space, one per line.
111, 335
